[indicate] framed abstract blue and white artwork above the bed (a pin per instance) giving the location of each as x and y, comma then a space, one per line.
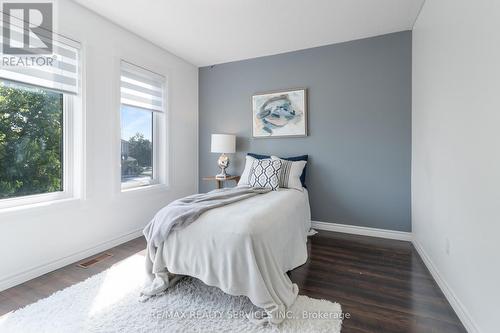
280, 114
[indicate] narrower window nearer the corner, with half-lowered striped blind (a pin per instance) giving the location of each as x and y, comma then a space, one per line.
142, 116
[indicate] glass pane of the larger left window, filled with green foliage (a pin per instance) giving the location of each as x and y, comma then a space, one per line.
31, 140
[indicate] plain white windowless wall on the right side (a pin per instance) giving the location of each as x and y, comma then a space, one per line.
456, 146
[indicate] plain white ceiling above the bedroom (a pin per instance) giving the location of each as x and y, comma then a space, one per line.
207, 32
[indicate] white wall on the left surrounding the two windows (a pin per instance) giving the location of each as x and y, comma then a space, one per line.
36, 240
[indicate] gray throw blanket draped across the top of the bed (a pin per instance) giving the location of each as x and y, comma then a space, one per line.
182, 212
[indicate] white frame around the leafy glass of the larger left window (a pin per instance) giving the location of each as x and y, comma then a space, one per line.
70, 107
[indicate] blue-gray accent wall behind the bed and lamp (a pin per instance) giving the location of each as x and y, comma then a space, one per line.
359, 124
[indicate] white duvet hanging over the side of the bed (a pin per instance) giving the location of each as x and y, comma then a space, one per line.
245, 248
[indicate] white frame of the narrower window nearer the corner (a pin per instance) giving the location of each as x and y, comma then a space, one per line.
159, 141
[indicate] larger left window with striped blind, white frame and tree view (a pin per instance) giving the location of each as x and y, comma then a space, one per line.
37, 132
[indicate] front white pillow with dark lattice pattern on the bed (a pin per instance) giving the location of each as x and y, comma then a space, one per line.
265, 173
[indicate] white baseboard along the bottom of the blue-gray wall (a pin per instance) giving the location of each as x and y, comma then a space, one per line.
364, 231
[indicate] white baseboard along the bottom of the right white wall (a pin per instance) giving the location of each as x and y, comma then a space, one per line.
450, 295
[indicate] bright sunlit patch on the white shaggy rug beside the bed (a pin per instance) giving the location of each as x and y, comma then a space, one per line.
122, 279
